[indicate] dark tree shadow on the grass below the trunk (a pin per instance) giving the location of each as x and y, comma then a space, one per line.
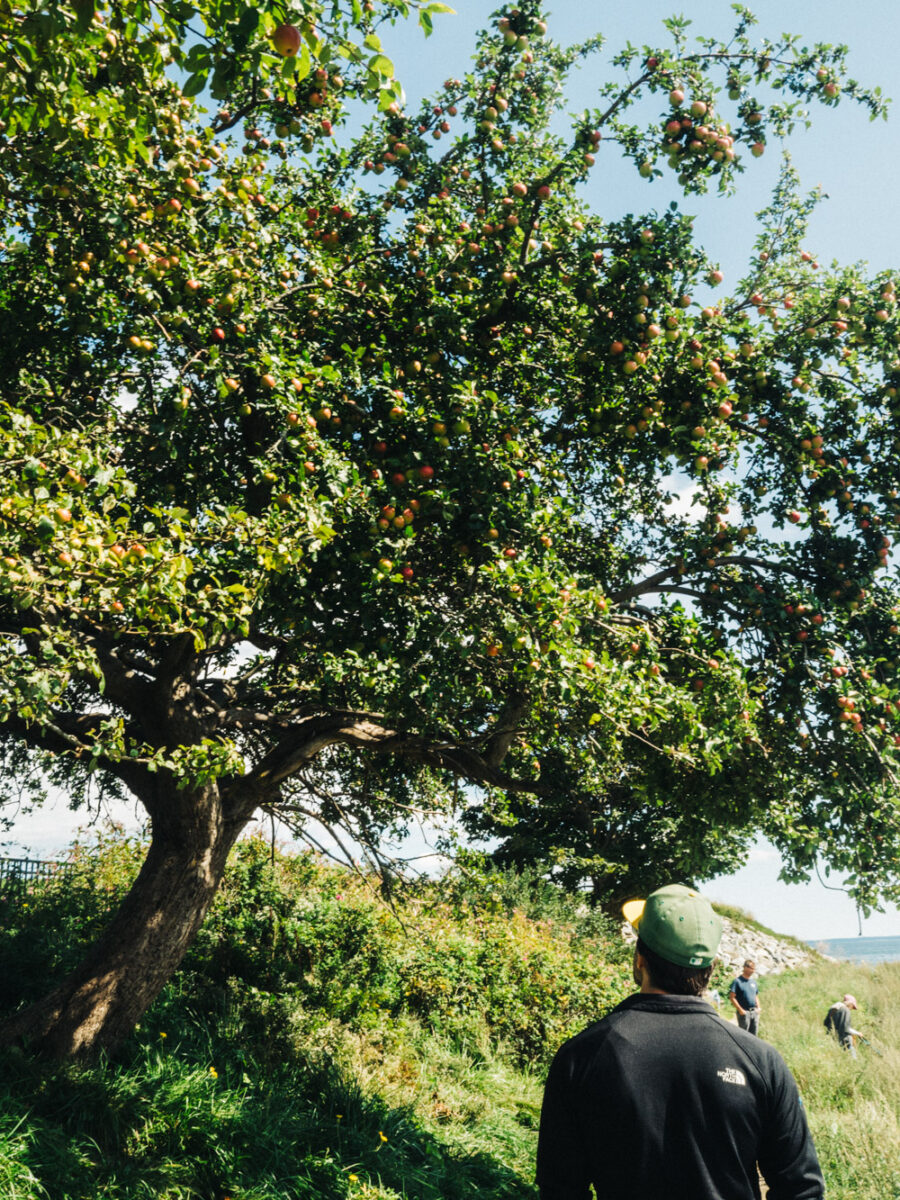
161, 1127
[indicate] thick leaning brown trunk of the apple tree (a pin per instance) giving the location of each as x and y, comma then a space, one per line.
101, 1001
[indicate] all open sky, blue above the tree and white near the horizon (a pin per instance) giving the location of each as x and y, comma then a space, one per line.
856, 163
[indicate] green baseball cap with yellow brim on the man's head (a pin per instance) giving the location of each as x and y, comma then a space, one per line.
679, 925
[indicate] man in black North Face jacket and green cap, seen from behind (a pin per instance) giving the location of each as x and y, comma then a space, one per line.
663, 1099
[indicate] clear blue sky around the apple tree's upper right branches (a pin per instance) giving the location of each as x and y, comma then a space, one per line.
854, 160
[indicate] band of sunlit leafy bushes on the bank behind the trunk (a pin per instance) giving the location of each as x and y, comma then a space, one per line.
485, 958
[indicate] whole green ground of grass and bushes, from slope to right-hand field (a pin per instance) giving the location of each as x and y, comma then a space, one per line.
321, 1042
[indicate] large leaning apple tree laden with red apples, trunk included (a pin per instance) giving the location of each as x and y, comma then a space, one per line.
350, 477
